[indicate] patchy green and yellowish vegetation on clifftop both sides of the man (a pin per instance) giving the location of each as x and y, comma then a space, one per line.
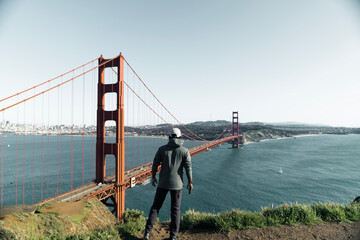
133, 223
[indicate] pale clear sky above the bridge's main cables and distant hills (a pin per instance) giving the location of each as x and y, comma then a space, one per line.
270, 60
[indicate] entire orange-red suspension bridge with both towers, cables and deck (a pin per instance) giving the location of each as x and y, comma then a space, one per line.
56, 148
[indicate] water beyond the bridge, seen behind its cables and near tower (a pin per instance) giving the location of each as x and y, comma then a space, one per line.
36, 167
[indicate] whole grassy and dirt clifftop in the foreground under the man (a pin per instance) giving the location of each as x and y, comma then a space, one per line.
89, 219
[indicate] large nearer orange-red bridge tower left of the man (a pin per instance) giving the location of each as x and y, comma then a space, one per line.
118, 148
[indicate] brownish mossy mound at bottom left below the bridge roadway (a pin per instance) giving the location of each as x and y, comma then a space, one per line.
28, 222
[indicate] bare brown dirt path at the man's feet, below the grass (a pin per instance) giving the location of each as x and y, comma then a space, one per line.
324, 231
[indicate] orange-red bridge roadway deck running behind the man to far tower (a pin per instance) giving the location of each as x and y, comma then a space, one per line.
134, 176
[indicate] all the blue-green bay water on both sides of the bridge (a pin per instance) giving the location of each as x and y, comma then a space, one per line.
323, 168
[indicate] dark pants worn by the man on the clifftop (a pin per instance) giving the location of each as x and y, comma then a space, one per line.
175, 210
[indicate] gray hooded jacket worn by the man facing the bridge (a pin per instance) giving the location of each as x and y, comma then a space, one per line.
173, 158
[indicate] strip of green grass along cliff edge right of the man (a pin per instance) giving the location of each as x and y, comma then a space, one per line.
286, 214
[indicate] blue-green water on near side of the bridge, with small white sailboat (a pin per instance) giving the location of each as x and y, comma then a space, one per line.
324, 168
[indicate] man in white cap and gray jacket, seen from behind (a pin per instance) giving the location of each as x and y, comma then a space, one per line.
173, 158
